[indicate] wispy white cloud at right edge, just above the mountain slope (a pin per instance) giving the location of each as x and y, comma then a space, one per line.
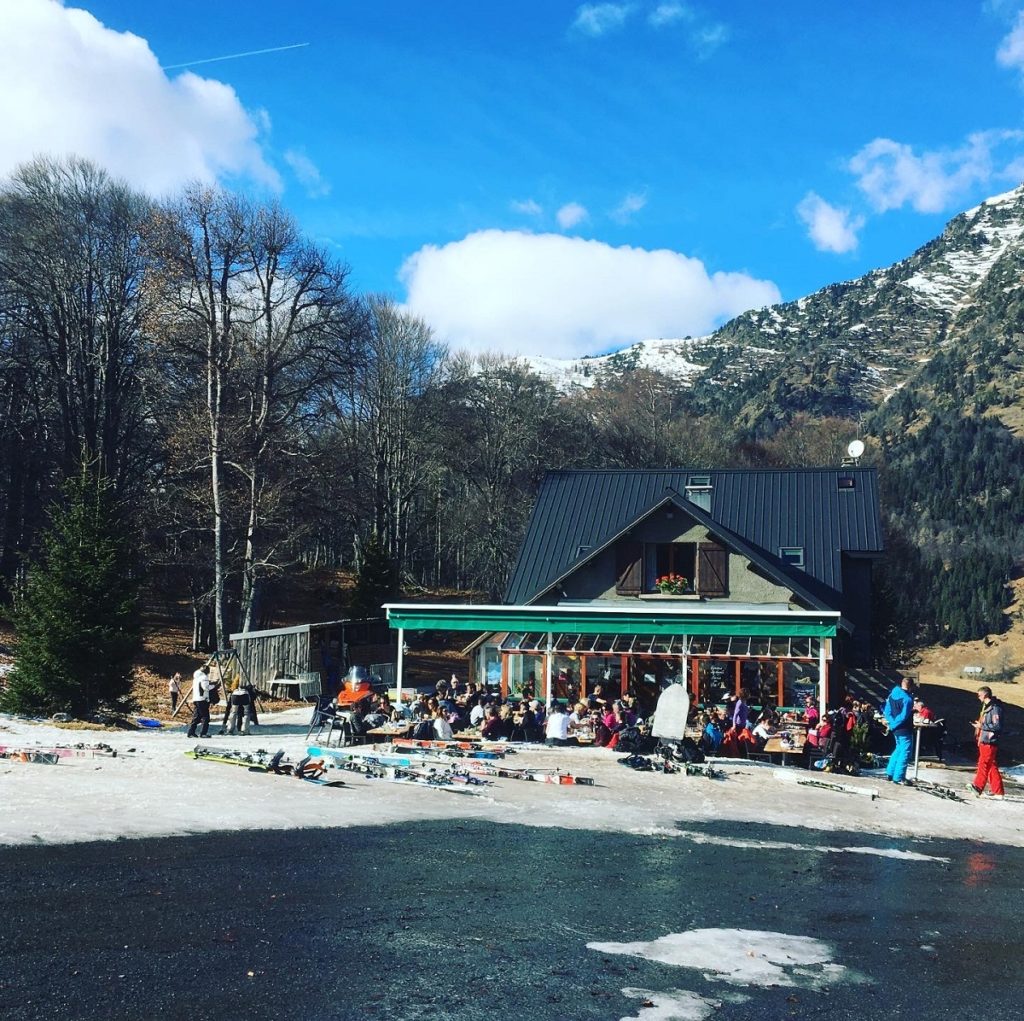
892, 176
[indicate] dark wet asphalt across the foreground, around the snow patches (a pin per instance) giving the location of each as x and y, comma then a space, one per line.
479, 921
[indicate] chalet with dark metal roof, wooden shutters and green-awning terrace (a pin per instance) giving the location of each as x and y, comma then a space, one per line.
720, 580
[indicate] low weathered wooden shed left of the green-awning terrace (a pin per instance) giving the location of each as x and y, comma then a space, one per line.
309, 652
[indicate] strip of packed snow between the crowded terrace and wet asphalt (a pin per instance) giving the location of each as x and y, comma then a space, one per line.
153, 789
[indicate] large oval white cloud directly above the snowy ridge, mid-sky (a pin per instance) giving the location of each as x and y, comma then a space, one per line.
532, 294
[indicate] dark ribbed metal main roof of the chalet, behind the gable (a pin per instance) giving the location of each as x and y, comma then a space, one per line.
577, 513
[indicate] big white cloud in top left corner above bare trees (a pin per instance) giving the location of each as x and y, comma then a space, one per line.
70, 86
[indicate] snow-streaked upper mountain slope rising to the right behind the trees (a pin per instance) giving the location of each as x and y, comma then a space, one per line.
849, 347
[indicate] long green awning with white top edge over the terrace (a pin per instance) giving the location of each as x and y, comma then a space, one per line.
592, 620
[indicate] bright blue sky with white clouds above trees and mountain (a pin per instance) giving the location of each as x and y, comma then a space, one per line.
548, 178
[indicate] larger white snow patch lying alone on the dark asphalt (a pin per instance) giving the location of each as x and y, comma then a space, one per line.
743, 957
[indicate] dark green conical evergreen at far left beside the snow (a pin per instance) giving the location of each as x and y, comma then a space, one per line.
78, 625
